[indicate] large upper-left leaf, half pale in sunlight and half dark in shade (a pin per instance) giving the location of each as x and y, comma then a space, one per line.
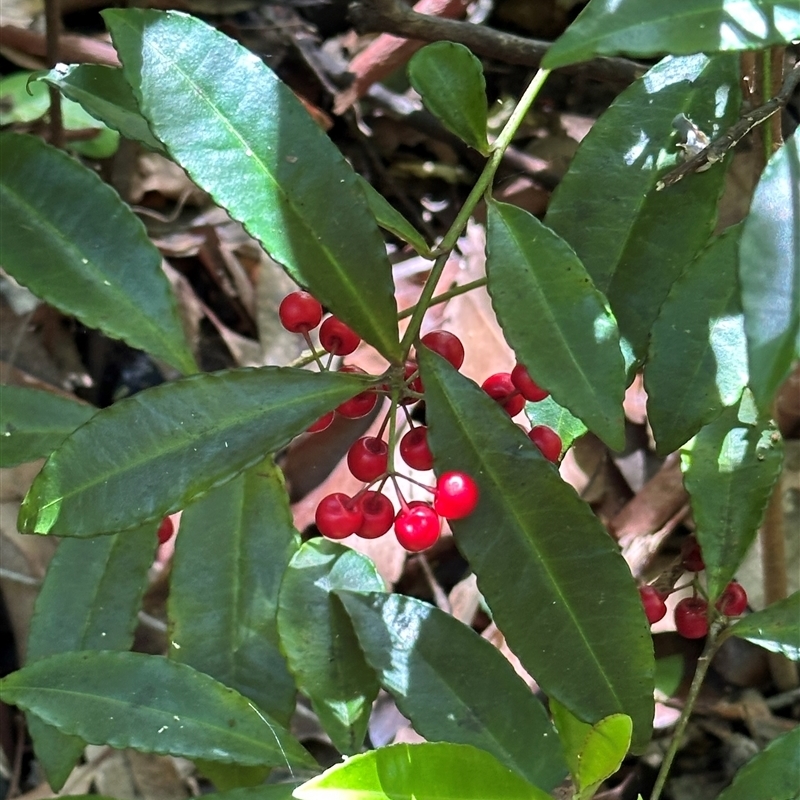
246, 139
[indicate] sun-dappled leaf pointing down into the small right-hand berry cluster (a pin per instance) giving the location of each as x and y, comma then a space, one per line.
730, 468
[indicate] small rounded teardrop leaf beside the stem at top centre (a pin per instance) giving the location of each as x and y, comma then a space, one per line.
450, 81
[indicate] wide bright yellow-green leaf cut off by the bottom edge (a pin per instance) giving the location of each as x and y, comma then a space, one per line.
433, 771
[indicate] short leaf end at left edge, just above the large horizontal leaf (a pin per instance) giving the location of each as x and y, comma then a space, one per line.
33, 423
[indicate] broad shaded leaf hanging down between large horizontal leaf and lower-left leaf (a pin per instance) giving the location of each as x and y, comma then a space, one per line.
229, 629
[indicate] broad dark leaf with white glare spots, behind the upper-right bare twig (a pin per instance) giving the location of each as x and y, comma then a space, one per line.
633, 240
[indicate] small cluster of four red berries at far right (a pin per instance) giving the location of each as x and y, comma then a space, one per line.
692, 613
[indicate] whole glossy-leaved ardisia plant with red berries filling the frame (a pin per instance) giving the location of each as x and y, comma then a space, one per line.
626, 273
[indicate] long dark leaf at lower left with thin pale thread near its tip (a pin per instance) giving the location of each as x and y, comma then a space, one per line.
151, 704
